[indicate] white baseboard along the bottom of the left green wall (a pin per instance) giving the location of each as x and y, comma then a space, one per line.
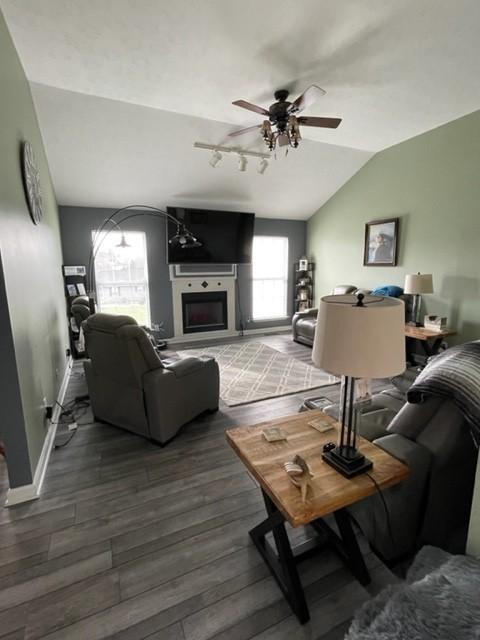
28, 492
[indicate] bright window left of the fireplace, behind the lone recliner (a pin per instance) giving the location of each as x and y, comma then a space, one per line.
121, 275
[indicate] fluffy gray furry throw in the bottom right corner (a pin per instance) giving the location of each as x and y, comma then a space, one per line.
438, 601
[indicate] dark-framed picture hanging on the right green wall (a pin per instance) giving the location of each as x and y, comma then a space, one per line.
381, 243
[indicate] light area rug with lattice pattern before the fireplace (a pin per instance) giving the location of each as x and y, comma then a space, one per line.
251, 371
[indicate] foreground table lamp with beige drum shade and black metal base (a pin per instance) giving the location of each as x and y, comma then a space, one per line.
357, 337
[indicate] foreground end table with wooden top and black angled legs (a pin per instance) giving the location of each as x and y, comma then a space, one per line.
330, 493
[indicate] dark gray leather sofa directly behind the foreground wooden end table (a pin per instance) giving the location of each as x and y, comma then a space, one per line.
433, 505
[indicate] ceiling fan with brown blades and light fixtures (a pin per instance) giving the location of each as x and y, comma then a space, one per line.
283, 124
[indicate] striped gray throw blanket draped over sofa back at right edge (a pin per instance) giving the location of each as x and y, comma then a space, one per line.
455, 375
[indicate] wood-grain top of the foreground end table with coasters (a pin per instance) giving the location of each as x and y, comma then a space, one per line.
330, 490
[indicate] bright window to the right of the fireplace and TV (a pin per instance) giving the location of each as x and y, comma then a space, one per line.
270, 277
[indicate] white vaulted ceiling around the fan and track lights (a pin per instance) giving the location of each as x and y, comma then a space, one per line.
123, 89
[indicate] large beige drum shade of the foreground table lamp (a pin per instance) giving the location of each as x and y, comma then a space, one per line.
366, 341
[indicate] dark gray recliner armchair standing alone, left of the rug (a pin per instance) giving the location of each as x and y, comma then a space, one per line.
130, 387
